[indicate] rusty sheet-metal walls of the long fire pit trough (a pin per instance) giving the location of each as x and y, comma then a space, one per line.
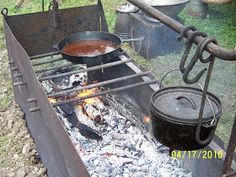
34, 34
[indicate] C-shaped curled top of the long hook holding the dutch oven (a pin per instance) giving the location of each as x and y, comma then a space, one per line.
204, 43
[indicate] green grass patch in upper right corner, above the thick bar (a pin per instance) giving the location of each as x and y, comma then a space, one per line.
219, 23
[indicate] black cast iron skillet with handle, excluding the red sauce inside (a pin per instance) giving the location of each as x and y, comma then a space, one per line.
89, 36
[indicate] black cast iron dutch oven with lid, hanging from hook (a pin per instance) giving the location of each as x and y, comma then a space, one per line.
174, 112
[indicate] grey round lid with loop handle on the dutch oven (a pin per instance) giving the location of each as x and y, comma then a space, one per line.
182, 104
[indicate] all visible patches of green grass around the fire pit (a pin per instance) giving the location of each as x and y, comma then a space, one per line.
219, 23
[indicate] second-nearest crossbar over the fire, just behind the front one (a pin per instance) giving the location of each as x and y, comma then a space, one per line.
99, 84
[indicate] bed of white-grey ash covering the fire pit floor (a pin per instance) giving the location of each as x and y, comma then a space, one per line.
126, 149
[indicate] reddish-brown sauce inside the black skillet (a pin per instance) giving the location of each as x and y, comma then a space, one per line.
89, 48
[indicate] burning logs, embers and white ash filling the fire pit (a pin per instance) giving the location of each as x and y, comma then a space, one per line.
107, 136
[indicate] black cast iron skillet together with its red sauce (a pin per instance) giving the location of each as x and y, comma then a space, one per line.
90, 41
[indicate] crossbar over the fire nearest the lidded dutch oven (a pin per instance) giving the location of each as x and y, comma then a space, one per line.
105, 92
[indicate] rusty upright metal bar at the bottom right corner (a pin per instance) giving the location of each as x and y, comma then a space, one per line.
230, 150
